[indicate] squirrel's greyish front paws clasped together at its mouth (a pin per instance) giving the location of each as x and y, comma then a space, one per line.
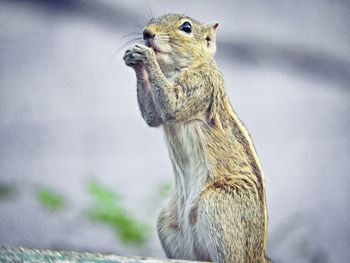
137, 54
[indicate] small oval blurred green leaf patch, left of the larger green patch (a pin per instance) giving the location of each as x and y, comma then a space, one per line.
49, 199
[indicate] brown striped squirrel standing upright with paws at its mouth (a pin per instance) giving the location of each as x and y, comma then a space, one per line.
217, 209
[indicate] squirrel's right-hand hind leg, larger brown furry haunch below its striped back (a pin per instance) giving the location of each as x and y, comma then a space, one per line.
227, 230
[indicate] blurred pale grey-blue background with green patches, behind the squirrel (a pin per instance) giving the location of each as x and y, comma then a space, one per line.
79, 168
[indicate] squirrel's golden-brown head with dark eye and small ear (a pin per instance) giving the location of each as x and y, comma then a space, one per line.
180, 40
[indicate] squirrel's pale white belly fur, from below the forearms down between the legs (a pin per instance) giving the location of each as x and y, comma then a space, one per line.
185, 145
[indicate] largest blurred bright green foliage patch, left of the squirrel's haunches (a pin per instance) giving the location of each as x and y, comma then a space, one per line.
107, 209
